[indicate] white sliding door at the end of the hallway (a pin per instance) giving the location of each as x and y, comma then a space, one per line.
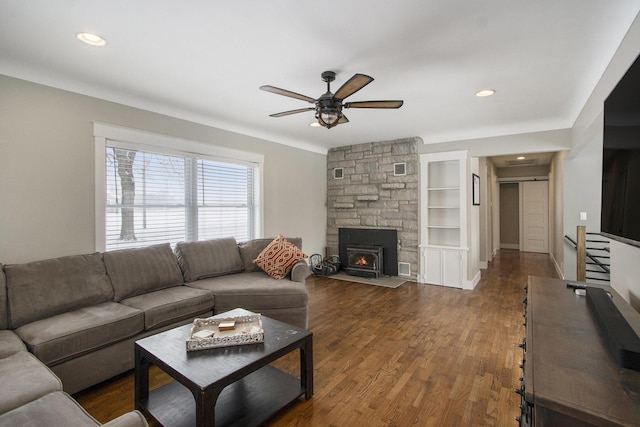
535, 216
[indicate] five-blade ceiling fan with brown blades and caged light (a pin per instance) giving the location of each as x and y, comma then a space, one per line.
329, 106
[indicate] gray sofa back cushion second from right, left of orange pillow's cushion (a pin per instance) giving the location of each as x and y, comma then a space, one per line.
209, 258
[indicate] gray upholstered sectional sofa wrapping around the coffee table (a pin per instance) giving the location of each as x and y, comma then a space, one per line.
80, 315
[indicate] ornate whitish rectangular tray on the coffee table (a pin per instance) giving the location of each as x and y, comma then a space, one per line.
225, 331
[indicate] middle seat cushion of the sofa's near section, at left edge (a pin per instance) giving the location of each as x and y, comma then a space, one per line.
24, 379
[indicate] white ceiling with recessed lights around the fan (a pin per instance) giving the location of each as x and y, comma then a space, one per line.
204, 60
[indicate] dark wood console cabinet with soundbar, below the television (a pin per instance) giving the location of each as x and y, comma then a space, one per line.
571, 377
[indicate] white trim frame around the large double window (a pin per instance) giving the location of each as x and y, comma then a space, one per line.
148, 141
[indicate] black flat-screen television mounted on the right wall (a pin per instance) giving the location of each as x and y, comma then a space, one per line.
620, 208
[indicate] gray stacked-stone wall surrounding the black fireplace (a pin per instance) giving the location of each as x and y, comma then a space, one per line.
370, 196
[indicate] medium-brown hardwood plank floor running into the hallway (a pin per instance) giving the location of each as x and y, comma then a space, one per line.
418, 355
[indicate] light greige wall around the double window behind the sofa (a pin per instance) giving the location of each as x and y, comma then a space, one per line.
47, 188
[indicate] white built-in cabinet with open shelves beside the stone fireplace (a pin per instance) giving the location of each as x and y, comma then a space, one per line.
444, 195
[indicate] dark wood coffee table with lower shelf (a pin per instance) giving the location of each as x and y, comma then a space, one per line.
224, 386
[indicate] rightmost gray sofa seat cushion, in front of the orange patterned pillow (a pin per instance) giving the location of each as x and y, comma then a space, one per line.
253, 291
